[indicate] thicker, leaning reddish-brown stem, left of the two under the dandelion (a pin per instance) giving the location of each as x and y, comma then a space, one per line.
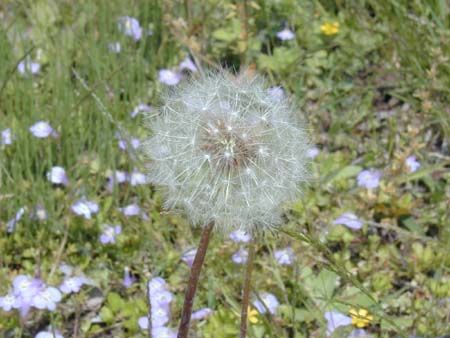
193, 281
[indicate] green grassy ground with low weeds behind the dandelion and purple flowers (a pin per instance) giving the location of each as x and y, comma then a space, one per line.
375, 90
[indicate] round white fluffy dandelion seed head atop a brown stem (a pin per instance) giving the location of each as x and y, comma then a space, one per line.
227, 152
